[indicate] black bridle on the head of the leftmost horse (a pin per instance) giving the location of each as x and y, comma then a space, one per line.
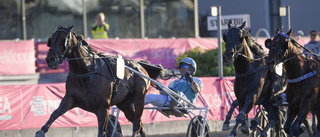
60, 56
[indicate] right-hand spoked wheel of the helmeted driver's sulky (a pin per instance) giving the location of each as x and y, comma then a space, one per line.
195, 127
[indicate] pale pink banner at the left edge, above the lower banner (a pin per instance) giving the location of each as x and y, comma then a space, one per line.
17, 57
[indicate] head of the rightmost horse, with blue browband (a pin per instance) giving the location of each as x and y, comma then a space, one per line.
278, 46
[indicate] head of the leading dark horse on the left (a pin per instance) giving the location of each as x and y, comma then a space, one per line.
59, 46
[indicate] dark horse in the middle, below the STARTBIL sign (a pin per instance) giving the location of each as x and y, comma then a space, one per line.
253, 82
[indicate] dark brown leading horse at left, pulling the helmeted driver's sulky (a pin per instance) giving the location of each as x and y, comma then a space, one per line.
92, 85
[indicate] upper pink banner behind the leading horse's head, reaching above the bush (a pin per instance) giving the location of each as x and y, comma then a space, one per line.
157, 51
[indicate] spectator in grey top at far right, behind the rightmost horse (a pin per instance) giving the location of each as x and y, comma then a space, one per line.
313, 45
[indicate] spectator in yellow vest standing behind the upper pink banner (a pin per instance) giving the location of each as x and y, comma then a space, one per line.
101, 28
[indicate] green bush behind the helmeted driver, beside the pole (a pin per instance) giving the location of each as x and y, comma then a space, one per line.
207, 62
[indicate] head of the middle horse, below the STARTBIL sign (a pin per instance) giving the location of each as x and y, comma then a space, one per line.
234, 39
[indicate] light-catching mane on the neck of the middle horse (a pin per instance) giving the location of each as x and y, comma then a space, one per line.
253, 45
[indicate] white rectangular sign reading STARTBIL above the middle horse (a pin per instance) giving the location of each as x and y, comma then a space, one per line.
236, 20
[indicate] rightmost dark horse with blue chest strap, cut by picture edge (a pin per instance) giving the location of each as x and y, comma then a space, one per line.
303, 81
